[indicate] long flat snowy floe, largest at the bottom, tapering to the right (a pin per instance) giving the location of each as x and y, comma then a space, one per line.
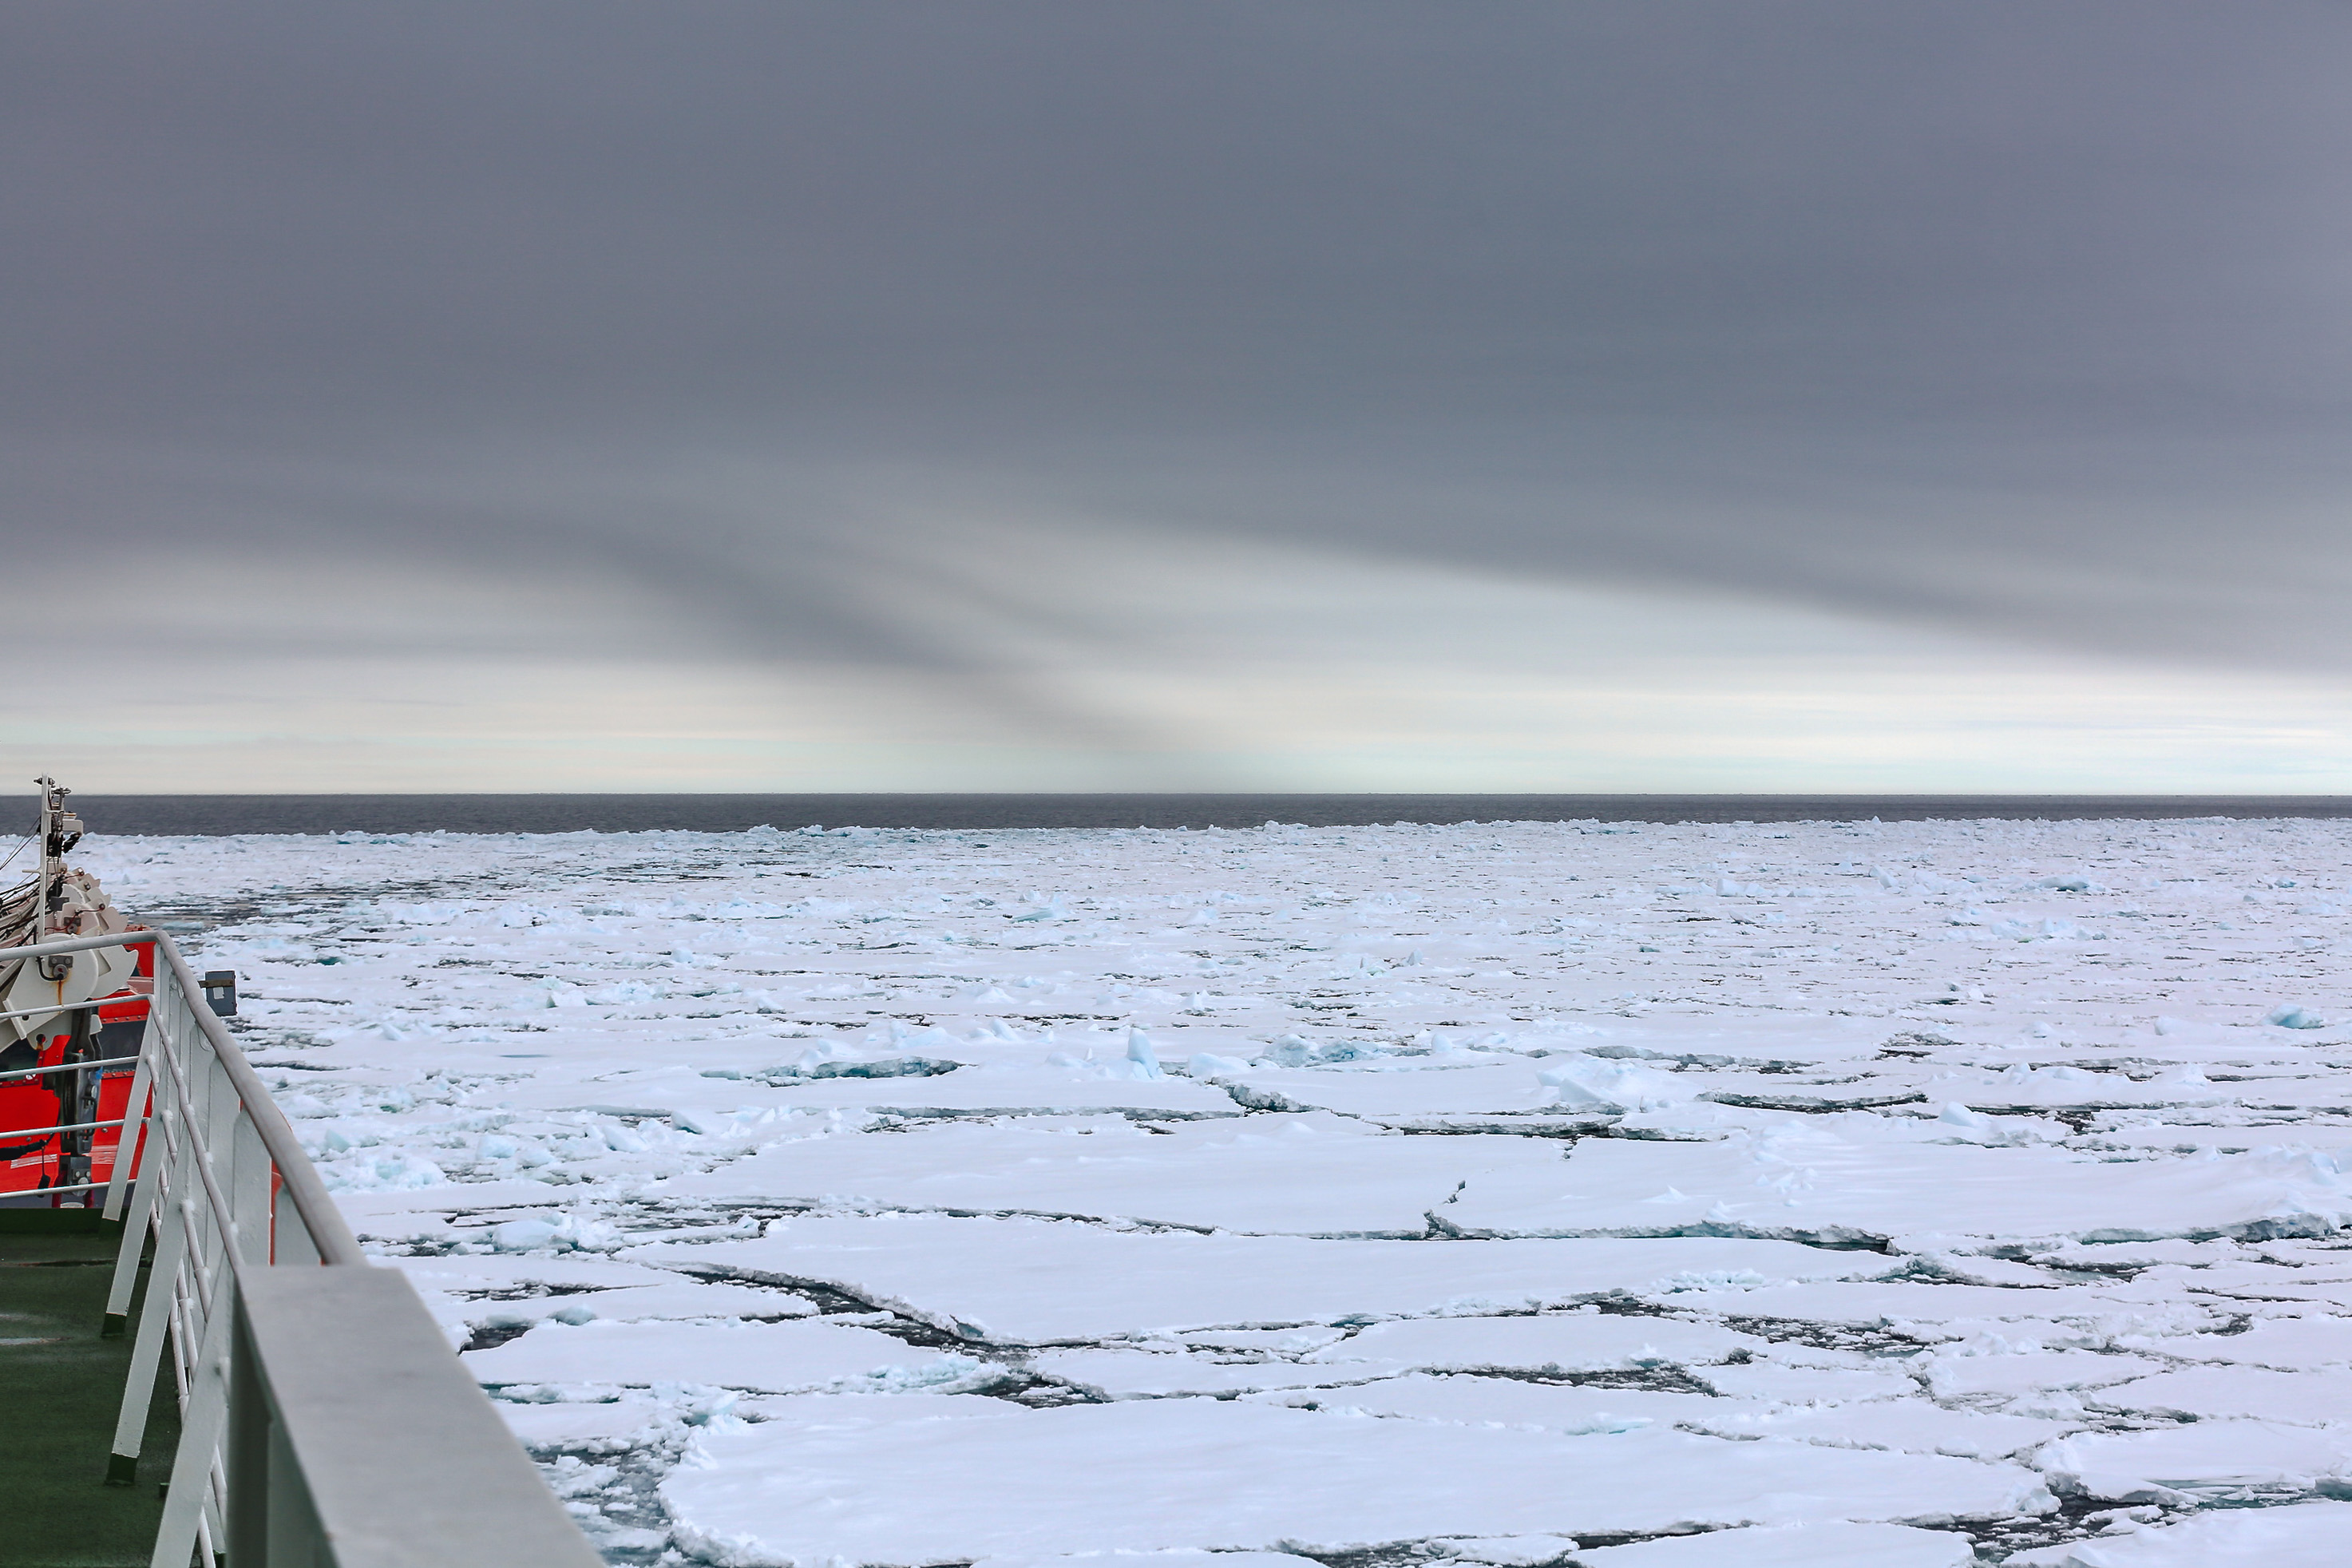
1205, 1473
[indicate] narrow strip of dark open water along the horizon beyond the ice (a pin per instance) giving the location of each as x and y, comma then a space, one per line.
1001, 812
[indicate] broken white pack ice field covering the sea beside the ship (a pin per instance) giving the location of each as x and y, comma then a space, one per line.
1502, 1195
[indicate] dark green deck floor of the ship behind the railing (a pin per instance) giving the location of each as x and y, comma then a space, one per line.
60, 1391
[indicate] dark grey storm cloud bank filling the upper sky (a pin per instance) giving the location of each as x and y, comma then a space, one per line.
2014, 316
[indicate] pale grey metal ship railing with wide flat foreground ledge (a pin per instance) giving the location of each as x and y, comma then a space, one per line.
326, 1421
